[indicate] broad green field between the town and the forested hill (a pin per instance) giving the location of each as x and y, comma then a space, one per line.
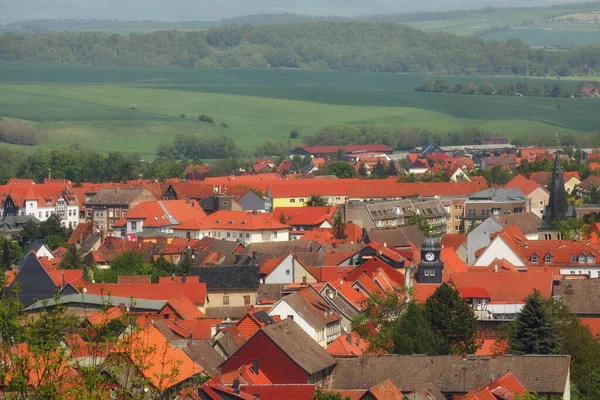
91, 105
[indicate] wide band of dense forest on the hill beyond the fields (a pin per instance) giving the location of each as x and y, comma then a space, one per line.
336, 46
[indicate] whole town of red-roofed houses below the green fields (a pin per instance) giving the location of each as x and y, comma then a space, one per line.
340, 272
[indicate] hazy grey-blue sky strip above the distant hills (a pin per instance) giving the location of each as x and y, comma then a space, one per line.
173, 10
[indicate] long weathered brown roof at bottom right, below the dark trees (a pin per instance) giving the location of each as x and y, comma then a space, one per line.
541, 374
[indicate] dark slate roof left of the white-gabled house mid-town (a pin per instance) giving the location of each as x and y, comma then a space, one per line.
235, 277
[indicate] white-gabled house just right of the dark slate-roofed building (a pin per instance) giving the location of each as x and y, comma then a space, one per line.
285, 269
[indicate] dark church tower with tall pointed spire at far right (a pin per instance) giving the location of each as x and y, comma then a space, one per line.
557, 208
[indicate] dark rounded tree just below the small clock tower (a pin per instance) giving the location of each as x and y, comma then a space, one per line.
452, 320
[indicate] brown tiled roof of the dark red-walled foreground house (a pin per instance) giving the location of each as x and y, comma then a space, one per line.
299, 346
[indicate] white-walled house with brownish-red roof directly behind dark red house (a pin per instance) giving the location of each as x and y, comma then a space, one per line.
312, 312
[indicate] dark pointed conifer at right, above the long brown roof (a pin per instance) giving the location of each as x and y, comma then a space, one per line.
534, 332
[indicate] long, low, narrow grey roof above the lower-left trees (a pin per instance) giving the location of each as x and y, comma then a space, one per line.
98, 300
